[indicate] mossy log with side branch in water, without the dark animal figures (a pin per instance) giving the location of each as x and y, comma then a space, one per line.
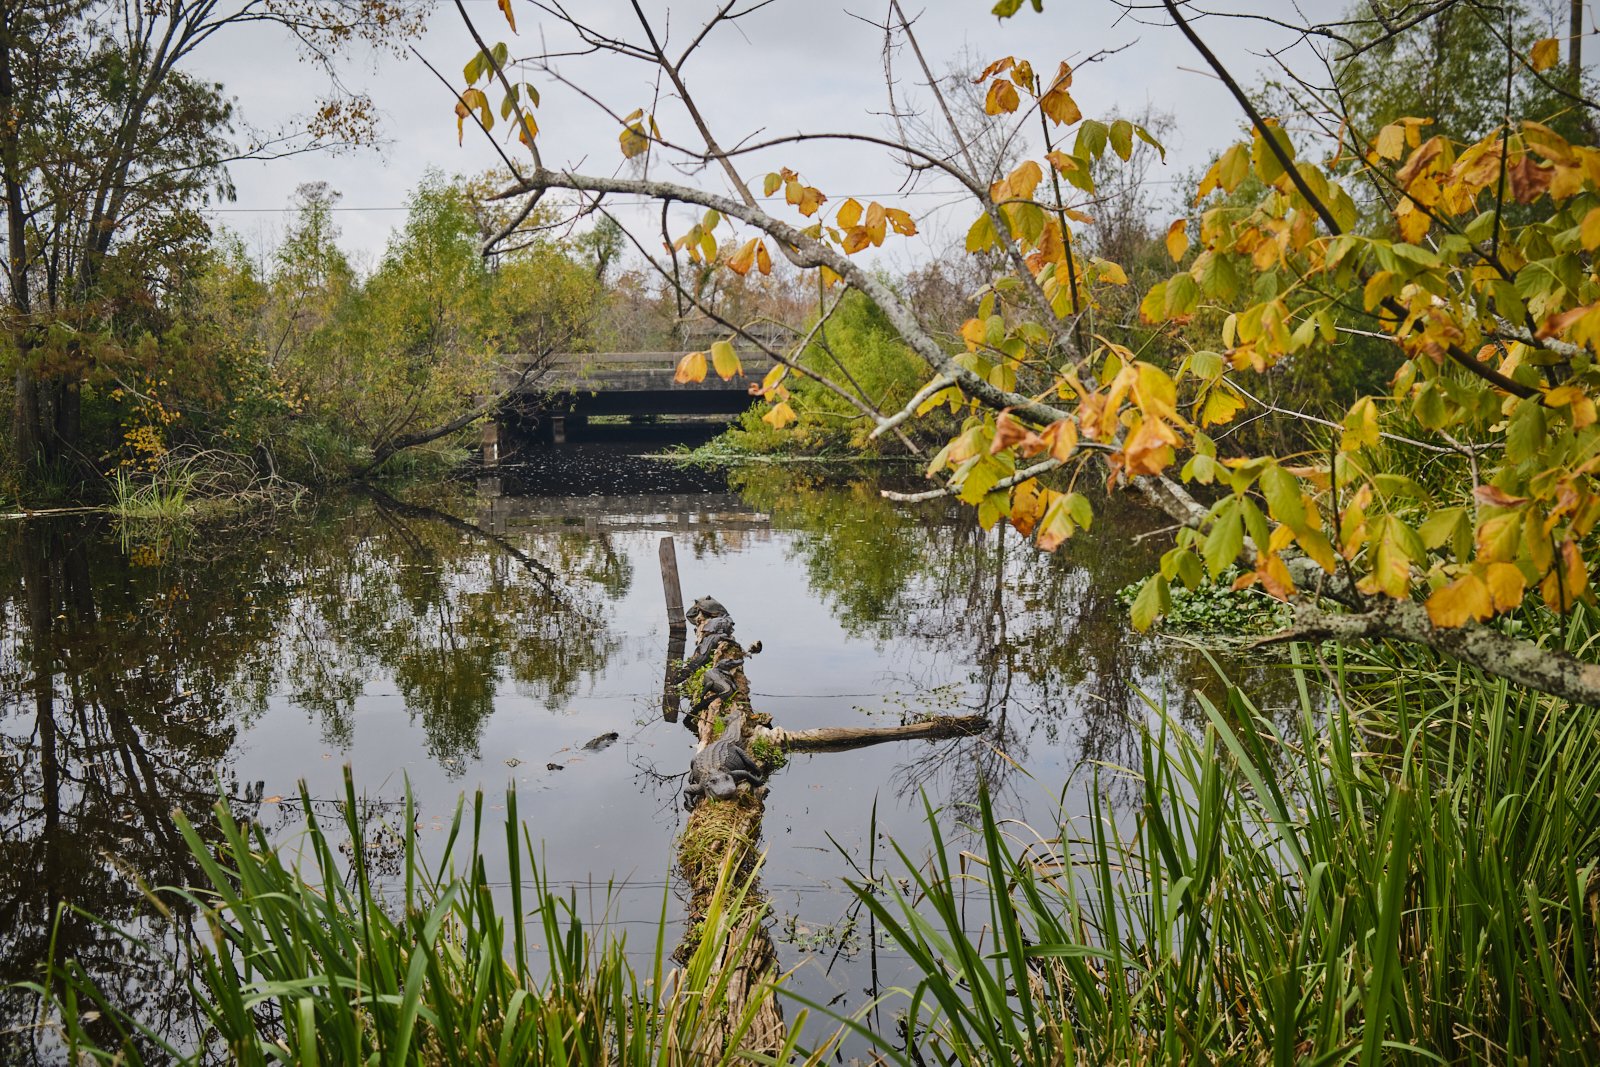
726, 834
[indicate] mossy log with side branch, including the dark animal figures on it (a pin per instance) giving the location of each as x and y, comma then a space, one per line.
727, 799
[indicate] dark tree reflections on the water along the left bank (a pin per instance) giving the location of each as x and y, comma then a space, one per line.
129, 673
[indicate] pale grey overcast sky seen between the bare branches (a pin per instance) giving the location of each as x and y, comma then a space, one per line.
793, 66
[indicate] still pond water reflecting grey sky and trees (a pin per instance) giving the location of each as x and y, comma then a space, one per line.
479, 636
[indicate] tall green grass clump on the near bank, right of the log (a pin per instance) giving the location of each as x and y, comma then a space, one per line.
1409, 879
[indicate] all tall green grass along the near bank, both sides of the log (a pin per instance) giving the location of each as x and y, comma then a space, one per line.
1402, 865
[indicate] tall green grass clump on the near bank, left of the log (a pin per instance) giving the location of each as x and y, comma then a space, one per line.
313, 962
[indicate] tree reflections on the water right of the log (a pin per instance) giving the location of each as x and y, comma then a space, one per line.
1055, 661
